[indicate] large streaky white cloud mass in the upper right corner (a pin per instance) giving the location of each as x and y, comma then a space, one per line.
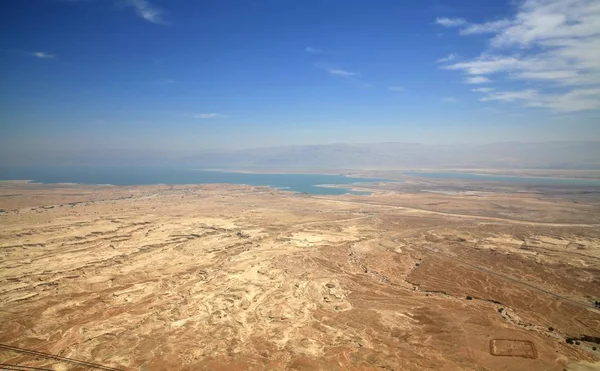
552, 43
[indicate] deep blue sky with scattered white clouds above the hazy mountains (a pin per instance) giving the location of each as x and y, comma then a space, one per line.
231, 74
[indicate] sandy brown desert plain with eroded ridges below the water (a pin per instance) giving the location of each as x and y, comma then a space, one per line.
432, 274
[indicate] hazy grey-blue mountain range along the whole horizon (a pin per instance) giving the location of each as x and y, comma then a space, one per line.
391, 155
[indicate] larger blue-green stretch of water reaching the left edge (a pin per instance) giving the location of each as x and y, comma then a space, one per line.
141, 175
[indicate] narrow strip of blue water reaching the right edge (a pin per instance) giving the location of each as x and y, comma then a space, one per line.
510, 179
